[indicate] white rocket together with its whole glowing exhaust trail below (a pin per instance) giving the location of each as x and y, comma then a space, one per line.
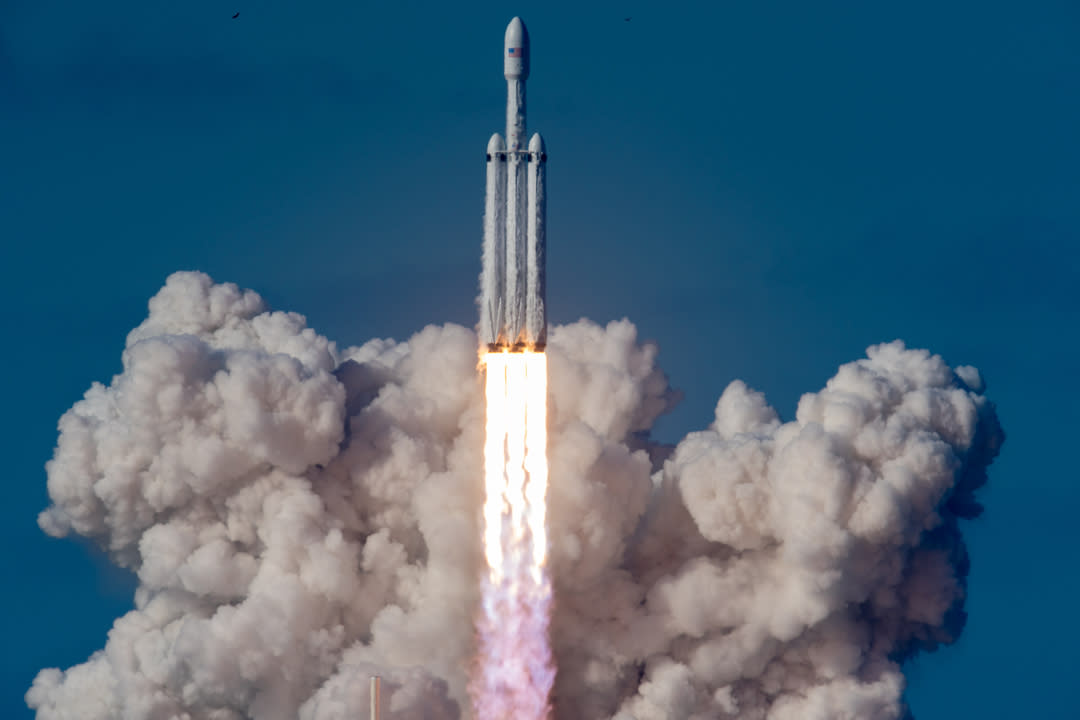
515, 672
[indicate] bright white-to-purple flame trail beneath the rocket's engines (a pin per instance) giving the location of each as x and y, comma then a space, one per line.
516, 672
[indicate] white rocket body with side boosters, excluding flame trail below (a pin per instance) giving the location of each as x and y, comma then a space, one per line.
512, 315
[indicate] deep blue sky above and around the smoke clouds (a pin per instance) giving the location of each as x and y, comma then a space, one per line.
765, 189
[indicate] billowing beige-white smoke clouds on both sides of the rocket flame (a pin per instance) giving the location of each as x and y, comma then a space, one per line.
302, 517
